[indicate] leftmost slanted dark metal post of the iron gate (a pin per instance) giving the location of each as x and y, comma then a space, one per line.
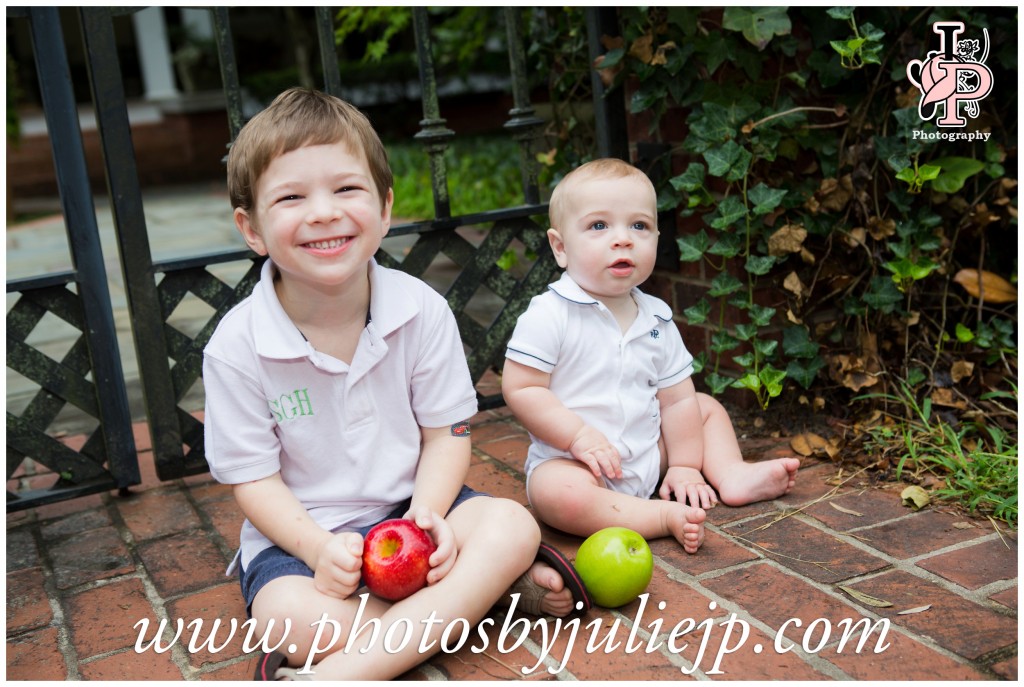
80, 216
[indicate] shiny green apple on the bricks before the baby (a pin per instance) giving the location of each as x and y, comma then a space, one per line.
616, 565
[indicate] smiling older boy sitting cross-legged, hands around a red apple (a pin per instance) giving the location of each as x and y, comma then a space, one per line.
338, 397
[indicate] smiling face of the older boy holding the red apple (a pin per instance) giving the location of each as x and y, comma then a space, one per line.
318, 216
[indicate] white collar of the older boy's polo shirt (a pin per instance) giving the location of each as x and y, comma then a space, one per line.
277, 336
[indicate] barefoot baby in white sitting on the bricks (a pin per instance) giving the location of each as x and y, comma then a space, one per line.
596, 371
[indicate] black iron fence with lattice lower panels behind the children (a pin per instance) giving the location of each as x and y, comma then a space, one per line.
42, 468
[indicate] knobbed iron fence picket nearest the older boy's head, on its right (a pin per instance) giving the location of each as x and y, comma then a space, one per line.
434, 135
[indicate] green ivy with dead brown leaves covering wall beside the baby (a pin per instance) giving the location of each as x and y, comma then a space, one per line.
827, 216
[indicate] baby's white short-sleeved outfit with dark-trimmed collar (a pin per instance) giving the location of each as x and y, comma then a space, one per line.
608, 378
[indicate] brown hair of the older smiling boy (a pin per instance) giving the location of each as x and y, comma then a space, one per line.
297, 118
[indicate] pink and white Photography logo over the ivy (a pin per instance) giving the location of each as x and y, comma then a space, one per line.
953, 81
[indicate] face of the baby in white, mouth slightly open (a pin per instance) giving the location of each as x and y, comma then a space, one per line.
608, 235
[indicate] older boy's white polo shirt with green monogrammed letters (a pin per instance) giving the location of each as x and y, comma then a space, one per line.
346, 439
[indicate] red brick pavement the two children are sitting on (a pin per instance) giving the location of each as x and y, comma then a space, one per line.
82, 574
